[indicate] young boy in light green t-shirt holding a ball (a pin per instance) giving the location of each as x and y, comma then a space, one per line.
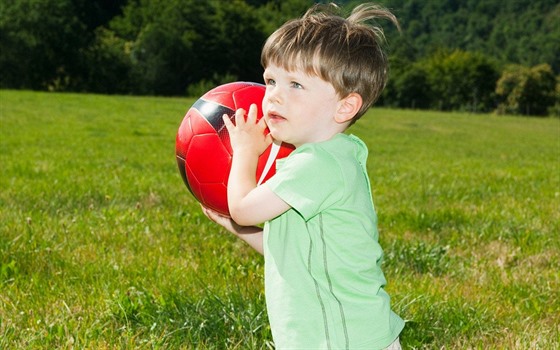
323, 278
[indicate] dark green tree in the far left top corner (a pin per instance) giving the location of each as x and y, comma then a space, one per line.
41, 42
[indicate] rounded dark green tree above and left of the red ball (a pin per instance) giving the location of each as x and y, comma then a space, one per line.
167, 46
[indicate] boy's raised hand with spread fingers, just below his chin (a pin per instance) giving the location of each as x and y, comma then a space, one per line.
248, 136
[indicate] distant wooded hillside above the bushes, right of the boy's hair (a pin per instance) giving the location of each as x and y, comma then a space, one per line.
523, 32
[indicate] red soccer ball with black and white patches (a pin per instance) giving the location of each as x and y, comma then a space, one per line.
203, 148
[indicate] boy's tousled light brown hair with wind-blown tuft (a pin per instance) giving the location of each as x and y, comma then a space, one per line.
346, 52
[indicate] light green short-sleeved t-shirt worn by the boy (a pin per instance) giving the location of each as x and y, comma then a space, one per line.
323, 278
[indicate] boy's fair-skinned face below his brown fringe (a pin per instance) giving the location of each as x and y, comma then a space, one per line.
299, 108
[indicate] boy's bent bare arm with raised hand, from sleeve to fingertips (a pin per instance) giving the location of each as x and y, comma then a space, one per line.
248, 203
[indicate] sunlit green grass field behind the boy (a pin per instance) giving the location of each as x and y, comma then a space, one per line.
103, 247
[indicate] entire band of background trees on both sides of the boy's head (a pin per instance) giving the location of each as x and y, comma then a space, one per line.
472, 55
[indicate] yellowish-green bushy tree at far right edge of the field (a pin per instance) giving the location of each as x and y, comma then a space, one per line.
527, 91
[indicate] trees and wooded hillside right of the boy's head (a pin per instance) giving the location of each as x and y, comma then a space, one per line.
476, 55
